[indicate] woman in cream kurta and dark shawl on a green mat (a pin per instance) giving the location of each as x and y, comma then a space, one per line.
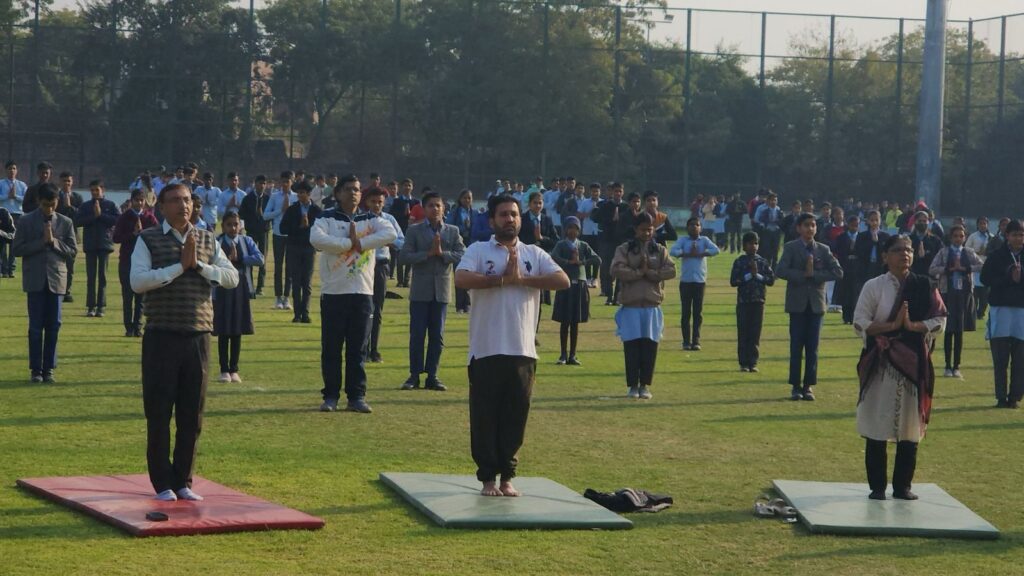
898, 316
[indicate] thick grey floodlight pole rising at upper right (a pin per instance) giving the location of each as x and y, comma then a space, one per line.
929, 174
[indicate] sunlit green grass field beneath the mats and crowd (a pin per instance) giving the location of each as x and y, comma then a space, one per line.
713, 438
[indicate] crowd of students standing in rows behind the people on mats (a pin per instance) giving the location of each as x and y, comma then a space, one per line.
596, 233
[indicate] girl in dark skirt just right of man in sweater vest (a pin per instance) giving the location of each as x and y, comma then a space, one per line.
233, 316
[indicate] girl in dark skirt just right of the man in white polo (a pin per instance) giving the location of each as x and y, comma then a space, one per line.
573, 305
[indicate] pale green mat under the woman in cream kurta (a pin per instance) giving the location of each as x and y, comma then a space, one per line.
832, 508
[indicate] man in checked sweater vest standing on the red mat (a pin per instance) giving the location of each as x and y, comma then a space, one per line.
175, 267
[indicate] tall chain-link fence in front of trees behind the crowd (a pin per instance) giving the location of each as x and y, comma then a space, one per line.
459, 93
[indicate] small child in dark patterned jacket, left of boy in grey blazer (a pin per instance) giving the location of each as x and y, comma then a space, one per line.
751, 275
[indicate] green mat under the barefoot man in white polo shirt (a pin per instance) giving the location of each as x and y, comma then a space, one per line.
455, 502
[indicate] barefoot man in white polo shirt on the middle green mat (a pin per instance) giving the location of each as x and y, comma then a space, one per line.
505, 279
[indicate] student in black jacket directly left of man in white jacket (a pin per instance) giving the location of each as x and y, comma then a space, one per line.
296, 224
